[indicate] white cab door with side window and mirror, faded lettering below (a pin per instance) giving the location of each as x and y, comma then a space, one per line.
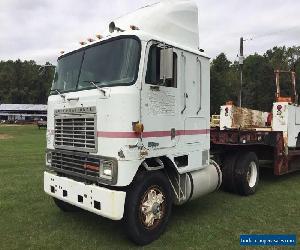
159, 98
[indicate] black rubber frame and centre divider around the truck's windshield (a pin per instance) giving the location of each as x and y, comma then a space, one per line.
52, 90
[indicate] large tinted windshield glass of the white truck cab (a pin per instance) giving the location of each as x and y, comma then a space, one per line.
112, 63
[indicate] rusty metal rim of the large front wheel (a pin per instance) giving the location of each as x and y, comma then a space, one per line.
152, 207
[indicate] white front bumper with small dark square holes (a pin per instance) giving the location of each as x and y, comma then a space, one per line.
102, 201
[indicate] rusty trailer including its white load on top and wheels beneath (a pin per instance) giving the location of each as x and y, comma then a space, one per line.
242, 140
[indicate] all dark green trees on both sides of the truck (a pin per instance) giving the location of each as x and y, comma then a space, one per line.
26, 82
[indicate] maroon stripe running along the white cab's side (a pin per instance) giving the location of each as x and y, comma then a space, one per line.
148, 134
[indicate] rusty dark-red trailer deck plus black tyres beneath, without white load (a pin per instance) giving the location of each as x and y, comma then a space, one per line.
230, 147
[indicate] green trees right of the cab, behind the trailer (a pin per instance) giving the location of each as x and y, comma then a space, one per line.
258, 88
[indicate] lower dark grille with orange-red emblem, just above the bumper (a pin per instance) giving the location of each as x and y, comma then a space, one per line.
79, 165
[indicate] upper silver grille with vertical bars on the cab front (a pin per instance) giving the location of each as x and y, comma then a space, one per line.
76, 132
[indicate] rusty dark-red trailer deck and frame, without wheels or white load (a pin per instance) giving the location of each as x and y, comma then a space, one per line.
268, 146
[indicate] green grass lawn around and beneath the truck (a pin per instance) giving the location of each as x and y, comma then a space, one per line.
30, 220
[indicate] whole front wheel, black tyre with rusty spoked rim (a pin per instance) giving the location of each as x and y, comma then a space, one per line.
148, 207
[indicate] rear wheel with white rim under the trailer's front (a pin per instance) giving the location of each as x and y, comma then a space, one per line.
247, 173
